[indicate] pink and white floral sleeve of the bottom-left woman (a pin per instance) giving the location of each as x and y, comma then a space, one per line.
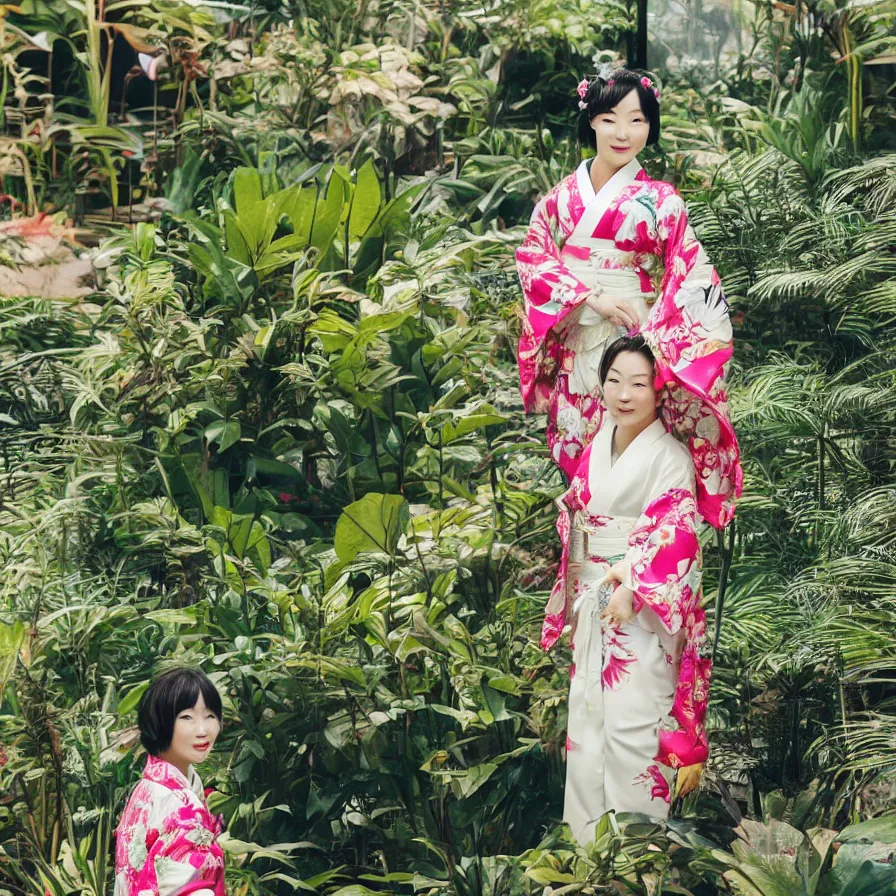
188, 860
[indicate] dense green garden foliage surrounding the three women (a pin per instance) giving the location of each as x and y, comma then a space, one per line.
283, 439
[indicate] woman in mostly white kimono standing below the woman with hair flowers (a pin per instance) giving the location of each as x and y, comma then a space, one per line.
629, 588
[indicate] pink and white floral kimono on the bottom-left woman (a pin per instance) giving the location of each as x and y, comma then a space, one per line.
167, 840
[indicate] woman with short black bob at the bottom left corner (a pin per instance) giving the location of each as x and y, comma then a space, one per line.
167, 840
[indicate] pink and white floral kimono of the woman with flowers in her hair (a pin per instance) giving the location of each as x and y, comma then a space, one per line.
632, 240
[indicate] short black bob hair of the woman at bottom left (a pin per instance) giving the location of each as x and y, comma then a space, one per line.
168, 696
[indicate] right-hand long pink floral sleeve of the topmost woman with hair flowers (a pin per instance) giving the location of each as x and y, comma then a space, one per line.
691, 337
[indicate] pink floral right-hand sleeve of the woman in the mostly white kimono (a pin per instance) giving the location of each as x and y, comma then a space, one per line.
665, 575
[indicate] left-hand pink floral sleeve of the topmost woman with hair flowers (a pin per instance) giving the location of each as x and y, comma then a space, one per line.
550, 291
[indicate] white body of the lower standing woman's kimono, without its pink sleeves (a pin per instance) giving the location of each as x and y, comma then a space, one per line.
624, 677
